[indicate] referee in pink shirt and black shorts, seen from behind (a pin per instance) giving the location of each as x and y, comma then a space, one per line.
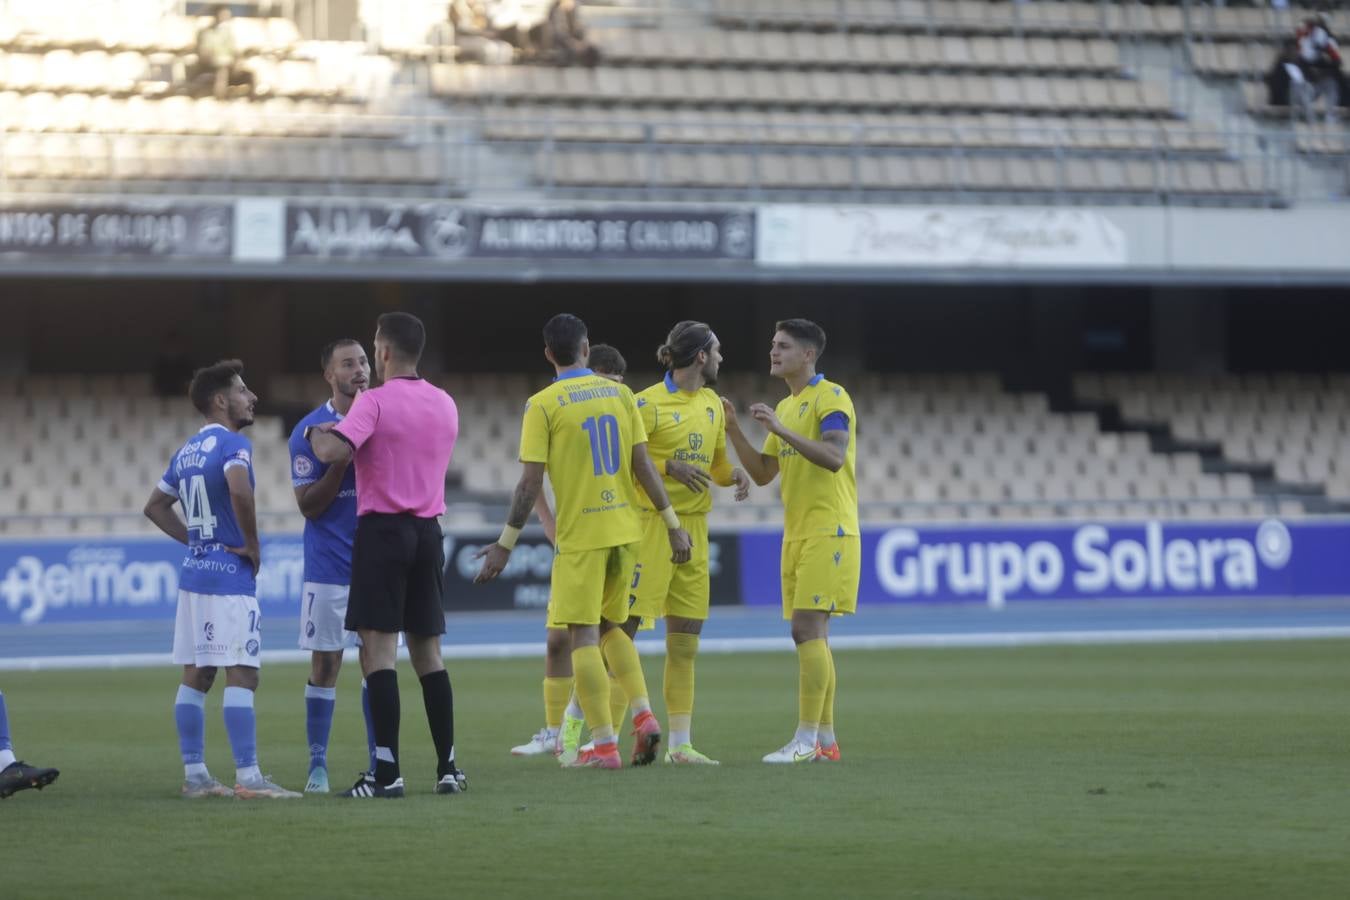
402, 437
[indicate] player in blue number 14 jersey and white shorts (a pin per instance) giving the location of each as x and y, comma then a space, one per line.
218, 623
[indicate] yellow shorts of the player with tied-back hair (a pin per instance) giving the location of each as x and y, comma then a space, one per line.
659, 588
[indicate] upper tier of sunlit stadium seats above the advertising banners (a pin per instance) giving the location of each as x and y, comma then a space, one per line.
877, 101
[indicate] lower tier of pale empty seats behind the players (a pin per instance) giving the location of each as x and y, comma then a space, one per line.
87, 450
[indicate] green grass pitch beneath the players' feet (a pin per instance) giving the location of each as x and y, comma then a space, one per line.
1179, 771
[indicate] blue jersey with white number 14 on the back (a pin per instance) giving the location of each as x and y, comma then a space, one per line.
196, 476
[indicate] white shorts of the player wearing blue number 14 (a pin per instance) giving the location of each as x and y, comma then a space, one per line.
217, 631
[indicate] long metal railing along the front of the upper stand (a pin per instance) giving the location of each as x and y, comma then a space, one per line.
672, 156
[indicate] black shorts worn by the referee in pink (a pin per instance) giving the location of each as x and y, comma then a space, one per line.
398, 569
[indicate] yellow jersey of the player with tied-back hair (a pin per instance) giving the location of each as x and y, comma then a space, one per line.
691, 428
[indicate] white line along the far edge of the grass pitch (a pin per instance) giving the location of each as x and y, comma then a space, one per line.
755, 646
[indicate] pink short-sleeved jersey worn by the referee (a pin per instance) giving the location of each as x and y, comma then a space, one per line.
403, 432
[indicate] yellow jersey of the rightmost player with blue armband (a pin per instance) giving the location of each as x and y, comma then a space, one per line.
816, 501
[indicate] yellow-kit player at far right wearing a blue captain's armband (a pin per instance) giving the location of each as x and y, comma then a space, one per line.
812, 442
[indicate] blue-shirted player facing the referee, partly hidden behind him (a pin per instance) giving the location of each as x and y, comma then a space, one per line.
327, 499
